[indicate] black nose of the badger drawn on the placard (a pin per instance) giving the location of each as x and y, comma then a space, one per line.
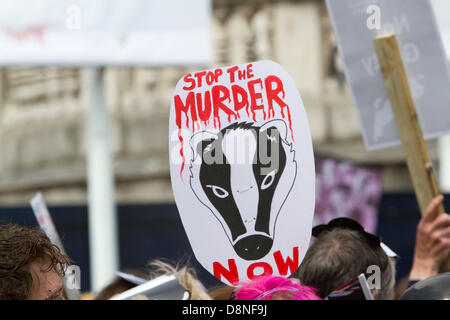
253, 247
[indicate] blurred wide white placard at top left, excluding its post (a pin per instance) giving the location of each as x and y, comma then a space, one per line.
105, 32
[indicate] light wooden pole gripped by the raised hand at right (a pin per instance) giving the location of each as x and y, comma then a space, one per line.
417, 158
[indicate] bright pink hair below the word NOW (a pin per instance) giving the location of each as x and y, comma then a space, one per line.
276, 287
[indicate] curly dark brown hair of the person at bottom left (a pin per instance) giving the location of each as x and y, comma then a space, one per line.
19, 247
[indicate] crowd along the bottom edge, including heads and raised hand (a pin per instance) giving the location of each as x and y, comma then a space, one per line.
32, 268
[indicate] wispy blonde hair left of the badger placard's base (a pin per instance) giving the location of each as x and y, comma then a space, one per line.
186, 276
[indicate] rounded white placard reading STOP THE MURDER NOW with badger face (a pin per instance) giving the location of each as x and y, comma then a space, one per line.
242, 169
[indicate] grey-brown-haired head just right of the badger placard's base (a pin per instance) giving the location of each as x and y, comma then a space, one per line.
340, 254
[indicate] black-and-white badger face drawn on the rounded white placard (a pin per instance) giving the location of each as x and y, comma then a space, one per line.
244, 174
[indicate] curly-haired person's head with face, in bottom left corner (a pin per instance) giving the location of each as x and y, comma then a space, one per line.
31, 267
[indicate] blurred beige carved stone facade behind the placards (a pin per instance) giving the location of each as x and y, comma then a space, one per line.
42, 118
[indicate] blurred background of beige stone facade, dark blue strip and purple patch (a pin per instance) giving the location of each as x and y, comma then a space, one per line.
43, 141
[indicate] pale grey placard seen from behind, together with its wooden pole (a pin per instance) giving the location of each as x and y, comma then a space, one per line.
412, 70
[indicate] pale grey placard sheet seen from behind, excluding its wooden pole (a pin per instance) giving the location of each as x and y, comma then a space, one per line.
356, 23
